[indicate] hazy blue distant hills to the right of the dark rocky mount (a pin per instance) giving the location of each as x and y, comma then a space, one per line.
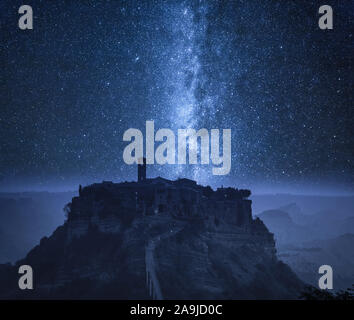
307, 241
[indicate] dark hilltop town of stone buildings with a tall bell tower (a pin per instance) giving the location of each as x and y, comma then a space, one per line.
106, 204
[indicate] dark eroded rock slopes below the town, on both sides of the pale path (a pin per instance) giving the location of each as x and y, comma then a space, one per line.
194, 263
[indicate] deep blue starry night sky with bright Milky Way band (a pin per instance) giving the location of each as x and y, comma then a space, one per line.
89, 70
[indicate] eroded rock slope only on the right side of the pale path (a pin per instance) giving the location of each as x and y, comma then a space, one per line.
223, 265
